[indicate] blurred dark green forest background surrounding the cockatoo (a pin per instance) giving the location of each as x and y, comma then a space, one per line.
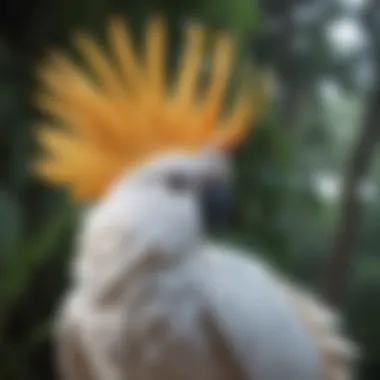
308, 178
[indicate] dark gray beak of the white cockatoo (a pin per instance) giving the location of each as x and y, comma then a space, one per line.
218, 206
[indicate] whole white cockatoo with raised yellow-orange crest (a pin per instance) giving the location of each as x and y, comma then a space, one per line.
151, 297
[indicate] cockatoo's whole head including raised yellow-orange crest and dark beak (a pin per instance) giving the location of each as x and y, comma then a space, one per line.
130, 119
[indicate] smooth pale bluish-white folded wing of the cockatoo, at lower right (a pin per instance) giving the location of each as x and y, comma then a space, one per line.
253, 316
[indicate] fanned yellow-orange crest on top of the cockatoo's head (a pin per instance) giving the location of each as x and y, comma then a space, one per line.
129, 112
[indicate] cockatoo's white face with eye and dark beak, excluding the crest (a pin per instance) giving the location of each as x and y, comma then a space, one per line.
170, 200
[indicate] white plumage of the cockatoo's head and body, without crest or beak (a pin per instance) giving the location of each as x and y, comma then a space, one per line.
153, 299
